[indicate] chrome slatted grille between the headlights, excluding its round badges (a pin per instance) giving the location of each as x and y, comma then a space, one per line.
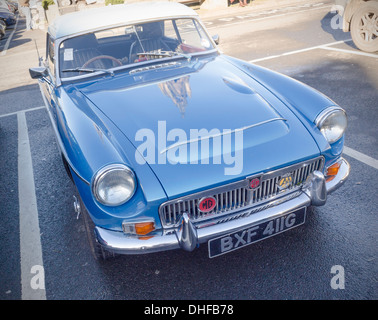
238, 195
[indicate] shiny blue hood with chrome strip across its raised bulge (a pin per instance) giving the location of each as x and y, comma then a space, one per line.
201, 123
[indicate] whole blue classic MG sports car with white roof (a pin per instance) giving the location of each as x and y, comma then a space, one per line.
171, 144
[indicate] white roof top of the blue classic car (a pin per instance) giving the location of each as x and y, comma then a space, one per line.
110, 16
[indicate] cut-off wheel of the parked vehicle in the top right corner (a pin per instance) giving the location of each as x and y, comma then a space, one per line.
364, 27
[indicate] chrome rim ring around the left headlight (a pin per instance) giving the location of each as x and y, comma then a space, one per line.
100, 174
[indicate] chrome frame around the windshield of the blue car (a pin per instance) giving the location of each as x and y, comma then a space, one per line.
86, 76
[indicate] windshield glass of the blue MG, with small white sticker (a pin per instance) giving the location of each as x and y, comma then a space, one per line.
130, 45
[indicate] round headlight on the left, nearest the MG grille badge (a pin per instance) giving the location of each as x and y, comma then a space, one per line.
114, 185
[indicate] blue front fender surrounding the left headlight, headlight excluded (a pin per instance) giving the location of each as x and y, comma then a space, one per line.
90, 141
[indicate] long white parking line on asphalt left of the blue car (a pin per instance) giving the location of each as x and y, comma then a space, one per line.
32, 272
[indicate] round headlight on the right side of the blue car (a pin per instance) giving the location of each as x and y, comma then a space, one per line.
332, 123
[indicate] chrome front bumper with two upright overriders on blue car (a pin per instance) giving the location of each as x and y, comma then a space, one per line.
188, 236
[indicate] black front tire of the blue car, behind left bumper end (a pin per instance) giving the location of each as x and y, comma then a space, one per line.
98, 252
